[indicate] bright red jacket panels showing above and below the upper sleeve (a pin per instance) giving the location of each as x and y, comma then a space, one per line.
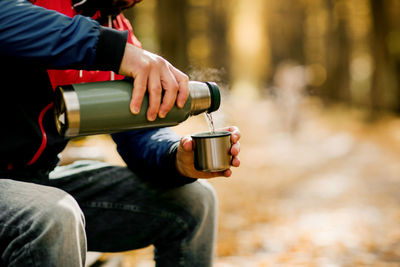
63, 77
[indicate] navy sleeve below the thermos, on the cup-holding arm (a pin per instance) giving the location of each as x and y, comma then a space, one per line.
151, 154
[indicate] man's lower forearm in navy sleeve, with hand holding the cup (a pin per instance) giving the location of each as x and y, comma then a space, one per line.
161, 153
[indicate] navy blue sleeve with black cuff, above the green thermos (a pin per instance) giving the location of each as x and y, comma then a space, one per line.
53, 40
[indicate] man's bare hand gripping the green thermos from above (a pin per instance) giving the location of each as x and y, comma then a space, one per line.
154, 74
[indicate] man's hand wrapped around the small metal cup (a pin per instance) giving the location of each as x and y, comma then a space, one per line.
185, 158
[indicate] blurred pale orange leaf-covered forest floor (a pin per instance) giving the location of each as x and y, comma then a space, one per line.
316, 187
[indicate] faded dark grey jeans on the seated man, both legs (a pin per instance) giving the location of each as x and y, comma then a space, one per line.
97, 207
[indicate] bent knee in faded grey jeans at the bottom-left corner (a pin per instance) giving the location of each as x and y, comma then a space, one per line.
37, 222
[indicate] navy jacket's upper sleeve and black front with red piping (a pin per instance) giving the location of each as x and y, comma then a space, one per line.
32, 40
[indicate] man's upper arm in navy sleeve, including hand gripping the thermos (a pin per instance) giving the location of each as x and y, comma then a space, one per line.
52, 40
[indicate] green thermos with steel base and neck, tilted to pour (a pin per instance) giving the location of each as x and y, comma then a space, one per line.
103, 107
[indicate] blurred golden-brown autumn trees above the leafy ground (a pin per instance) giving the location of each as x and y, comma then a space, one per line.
349, 50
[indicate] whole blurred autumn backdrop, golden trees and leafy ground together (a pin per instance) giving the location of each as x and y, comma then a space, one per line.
314, 86
